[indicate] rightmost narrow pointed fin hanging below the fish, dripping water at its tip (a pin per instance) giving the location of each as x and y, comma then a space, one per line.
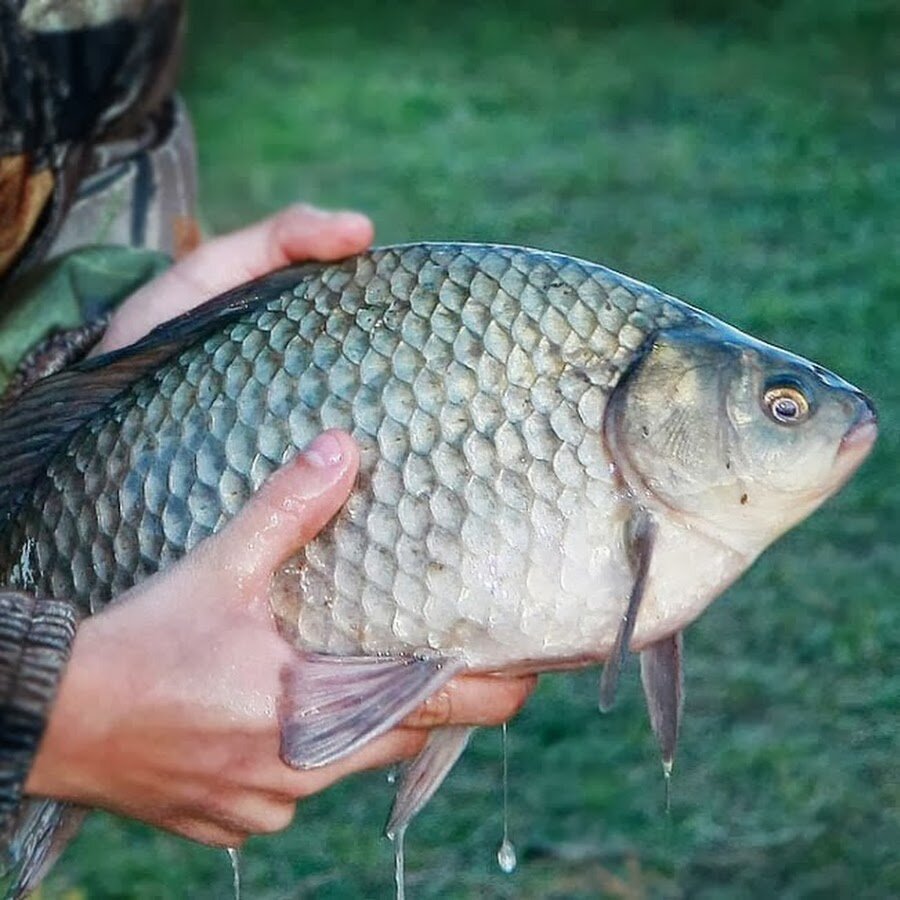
663, 680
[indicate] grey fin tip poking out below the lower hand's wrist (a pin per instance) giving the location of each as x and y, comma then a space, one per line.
40, 833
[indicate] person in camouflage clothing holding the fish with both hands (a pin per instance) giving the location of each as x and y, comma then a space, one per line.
163, 707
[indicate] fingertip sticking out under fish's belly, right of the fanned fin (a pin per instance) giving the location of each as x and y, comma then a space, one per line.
473, 700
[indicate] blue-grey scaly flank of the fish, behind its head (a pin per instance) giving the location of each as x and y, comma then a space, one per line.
461, 396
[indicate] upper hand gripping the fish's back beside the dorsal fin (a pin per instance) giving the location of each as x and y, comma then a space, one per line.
295, 234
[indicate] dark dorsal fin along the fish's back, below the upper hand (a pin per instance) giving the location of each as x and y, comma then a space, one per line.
36, 424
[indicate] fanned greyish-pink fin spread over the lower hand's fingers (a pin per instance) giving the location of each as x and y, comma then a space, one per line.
333, 705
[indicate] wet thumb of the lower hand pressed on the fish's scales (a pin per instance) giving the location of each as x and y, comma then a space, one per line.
290, 508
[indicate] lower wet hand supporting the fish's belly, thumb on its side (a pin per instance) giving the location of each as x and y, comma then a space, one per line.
167, 711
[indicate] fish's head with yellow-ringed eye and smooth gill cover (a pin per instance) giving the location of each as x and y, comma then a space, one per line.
739, 439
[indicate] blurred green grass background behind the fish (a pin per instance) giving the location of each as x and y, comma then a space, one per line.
743, 156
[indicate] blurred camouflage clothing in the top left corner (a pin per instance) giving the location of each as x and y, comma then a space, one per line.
94, 146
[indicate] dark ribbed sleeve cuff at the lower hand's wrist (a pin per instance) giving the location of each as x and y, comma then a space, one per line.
35, 640
